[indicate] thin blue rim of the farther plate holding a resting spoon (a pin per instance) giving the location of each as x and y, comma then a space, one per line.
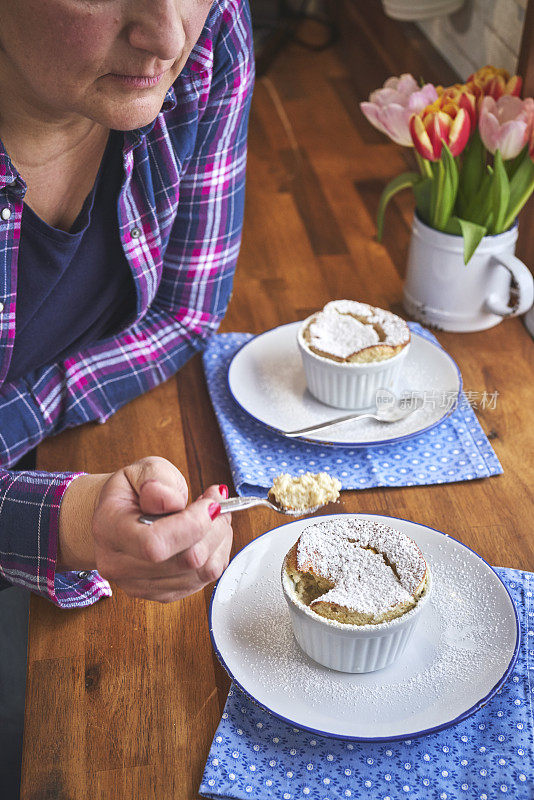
325, 443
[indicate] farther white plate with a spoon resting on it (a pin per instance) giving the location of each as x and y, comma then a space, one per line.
266, 379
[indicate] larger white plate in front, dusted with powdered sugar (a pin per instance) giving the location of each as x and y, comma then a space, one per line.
462, 651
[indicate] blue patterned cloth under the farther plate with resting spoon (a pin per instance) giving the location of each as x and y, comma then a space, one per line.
455, 450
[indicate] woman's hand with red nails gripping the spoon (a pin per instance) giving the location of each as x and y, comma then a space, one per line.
175, 556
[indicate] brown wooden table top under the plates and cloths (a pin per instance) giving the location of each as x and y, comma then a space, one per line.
123, 698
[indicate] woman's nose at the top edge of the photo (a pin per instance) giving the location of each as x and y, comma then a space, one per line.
157, 27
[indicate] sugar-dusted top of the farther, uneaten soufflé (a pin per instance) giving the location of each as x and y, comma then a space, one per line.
336, 331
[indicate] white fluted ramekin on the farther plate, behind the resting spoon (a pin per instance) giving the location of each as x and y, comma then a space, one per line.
347, 385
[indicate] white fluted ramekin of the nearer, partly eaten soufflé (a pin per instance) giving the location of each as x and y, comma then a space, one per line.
351, 648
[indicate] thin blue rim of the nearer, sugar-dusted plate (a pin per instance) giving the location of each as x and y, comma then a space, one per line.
398, 737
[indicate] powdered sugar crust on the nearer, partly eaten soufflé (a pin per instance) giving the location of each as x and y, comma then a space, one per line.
365, 581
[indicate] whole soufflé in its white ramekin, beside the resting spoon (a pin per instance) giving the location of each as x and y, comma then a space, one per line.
351, 349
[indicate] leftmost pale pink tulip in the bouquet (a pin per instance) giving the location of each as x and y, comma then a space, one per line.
389, 109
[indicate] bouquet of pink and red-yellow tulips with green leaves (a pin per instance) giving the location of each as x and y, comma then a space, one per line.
474, 147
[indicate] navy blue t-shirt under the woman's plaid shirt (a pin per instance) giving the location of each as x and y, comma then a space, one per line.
74, 287
